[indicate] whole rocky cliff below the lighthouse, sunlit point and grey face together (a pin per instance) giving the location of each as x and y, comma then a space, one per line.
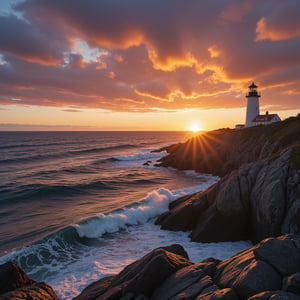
256, 199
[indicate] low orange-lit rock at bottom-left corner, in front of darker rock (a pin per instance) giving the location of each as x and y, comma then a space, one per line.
35, 291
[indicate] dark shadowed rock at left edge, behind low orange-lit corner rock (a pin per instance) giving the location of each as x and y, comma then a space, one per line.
12, 277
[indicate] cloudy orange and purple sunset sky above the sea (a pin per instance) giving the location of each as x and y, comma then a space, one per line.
145, 65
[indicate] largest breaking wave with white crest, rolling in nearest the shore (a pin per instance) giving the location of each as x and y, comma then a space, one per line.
47, 258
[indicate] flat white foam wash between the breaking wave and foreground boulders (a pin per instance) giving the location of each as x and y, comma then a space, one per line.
121, 249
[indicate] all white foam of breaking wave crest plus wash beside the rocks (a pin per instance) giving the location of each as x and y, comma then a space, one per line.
112, 252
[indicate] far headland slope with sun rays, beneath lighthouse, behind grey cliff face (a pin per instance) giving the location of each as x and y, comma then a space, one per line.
221, 151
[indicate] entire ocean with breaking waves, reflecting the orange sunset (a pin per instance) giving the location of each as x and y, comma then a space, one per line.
78, 206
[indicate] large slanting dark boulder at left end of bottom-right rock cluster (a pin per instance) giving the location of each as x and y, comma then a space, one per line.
141, 278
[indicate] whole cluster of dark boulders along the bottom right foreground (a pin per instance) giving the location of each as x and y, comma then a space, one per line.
255, 273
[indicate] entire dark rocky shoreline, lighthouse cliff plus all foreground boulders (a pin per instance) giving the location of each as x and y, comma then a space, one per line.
257, 198
